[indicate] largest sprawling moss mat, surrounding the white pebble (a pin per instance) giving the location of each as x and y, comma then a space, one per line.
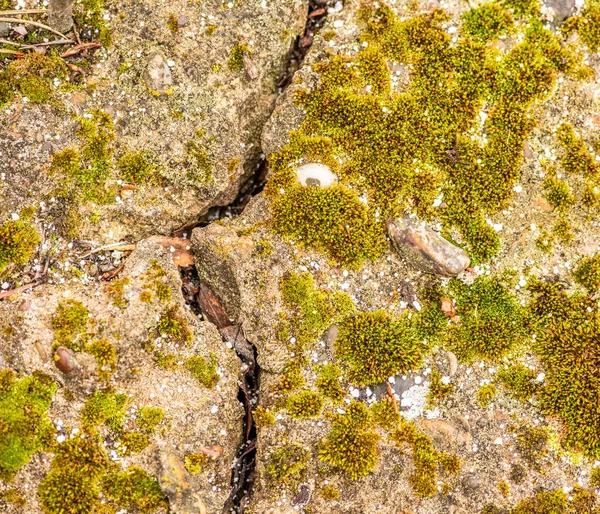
396, 150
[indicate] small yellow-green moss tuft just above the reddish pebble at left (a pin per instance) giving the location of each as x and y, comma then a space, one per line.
70, 322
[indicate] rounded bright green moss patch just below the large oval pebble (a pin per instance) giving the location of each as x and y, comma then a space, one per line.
492, 322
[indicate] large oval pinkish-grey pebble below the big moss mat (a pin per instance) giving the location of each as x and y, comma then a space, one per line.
425, 249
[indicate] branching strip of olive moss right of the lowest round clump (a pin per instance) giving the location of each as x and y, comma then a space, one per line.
427, 460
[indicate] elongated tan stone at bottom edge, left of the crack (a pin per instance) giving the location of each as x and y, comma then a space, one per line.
174, 483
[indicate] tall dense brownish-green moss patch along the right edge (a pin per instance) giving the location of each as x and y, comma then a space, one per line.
568, 329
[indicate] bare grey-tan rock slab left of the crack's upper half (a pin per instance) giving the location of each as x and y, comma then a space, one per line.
211, 104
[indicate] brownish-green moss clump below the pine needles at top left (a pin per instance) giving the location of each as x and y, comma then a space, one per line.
33, 77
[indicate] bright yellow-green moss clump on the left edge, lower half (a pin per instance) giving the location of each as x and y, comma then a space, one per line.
24, 421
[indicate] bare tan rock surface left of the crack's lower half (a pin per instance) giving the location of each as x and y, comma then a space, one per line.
195, 415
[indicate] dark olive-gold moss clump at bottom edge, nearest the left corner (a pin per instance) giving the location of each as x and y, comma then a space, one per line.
71, 486
